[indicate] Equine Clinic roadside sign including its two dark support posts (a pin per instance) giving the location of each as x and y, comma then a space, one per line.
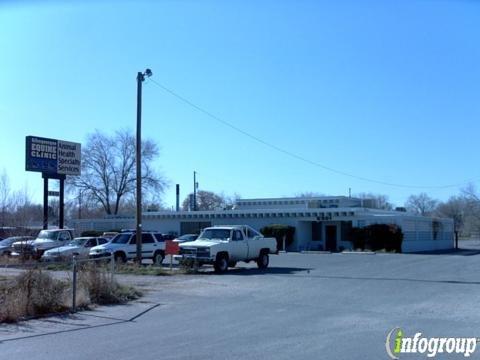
55, 159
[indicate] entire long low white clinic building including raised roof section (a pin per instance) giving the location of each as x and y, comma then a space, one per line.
321, 223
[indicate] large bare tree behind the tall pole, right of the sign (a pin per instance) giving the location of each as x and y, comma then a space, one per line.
108, 169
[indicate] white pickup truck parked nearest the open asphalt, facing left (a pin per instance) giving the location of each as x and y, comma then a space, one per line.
224, 245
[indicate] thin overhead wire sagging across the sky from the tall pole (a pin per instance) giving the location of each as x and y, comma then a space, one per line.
294, 155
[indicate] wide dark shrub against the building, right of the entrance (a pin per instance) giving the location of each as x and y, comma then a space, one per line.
377, 237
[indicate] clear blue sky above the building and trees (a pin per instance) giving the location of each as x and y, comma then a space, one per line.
385, 90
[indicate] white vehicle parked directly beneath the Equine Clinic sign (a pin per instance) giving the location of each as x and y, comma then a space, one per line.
45, 240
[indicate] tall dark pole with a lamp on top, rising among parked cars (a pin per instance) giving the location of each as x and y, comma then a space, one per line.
138, 158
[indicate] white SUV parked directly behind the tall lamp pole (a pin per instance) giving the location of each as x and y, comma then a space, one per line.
124, 247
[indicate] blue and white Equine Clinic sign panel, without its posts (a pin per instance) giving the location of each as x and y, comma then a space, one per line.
50, 156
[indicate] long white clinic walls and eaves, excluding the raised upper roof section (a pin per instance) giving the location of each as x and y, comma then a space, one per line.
420, 233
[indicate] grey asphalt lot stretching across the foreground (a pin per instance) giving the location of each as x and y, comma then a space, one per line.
306, 306
